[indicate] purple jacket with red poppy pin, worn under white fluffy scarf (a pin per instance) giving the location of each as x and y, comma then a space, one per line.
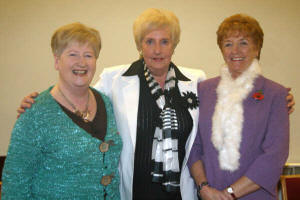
265, 138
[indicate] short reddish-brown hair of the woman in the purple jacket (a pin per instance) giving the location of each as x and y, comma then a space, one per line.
241, 24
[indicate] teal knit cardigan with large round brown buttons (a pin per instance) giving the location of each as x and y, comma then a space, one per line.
50, 157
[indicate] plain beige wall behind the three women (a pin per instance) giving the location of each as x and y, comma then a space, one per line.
26, 27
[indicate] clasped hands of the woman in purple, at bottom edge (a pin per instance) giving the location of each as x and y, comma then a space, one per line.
209, 193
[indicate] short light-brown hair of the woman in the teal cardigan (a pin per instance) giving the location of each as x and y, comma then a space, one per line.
75, 32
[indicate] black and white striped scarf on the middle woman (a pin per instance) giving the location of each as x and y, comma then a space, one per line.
165, 162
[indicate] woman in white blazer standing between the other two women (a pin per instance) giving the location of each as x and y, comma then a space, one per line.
136, 91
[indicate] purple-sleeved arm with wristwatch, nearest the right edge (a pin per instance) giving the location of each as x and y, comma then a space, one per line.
266, 168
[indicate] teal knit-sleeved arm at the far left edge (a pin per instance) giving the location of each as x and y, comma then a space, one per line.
22, 160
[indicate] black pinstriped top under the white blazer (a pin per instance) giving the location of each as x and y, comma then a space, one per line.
147, 120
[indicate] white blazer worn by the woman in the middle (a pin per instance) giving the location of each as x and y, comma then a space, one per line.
124, 94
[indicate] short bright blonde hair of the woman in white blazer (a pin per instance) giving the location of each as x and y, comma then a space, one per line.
152, 19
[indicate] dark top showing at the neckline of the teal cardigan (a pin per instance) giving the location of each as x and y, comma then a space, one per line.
97, 127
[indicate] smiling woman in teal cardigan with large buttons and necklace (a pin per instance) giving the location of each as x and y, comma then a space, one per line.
67, 146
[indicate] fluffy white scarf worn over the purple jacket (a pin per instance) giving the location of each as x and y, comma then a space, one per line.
227, 124
